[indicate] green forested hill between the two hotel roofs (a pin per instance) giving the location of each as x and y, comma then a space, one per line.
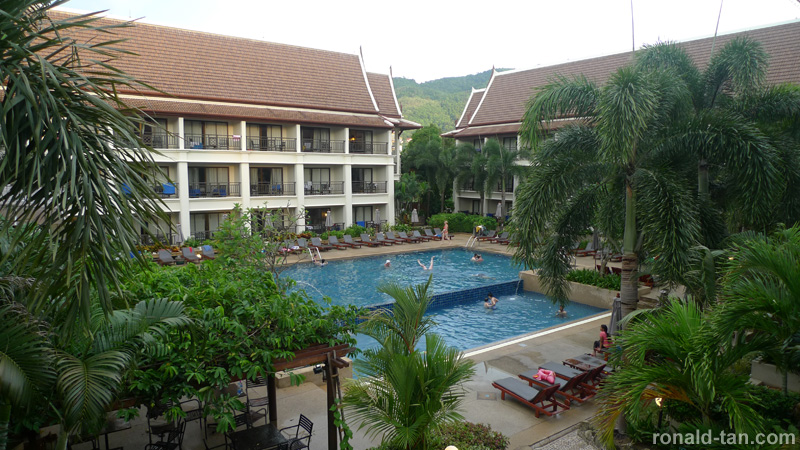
439, 102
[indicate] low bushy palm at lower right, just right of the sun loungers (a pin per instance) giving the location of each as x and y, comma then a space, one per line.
673, 354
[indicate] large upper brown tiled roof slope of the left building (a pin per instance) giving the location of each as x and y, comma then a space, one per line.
204, 66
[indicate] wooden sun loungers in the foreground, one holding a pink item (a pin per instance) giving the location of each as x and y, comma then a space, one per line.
576, 380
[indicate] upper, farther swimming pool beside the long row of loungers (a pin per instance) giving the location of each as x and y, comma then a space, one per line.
355, 281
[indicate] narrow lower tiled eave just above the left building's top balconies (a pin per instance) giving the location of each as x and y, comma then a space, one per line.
244, 112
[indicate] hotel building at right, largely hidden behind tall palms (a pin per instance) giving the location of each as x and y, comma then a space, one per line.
497, 111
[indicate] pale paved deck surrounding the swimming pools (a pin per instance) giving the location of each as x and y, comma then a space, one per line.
482, 403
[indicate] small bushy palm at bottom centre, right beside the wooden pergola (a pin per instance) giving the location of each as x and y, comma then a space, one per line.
406, 392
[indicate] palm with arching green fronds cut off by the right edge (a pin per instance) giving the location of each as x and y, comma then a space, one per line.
761, 293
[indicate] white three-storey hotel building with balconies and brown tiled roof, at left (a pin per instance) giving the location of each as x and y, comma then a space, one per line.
269, 126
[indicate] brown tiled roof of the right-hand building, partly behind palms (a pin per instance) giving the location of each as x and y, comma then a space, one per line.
508, 92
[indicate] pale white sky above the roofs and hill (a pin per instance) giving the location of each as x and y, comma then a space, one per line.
426, 40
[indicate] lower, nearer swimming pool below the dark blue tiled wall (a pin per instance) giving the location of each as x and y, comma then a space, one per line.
469, 325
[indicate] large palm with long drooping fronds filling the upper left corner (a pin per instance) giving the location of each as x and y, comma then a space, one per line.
72, 161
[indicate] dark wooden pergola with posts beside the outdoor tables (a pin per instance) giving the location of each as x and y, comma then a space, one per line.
331, 359
